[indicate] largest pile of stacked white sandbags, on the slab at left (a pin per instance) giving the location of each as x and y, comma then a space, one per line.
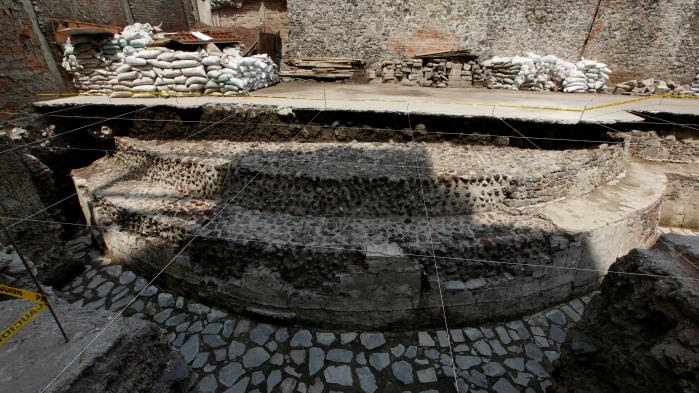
123, 66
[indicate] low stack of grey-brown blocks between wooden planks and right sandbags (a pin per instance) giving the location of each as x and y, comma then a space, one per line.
431, 73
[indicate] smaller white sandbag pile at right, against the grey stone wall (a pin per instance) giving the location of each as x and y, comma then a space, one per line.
535, 72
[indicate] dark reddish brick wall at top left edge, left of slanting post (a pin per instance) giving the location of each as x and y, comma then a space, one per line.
22, 67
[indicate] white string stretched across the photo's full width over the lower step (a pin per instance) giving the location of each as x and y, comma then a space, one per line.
327, 247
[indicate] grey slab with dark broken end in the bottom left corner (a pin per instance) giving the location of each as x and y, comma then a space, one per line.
31, 359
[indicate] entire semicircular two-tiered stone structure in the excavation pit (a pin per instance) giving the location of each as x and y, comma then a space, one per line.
334, 233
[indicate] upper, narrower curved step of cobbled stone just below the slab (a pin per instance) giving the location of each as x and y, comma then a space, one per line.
369, 179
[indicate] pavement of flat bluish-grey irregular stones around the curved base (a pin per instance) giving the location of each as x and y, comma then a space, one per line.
230, 354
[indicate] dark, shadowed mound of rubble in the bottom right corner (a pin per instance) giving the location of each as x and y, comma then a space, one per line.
643, 326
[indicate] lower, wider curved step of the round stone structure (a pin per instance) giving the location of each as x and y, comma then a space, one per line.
369, 271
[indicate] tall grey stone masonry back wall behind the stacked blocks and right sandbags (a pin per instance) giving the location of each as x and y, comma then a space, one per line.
622, 32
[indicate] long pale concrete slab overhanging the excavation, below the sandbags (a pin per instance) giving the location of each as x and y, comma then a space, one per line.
518, 105
